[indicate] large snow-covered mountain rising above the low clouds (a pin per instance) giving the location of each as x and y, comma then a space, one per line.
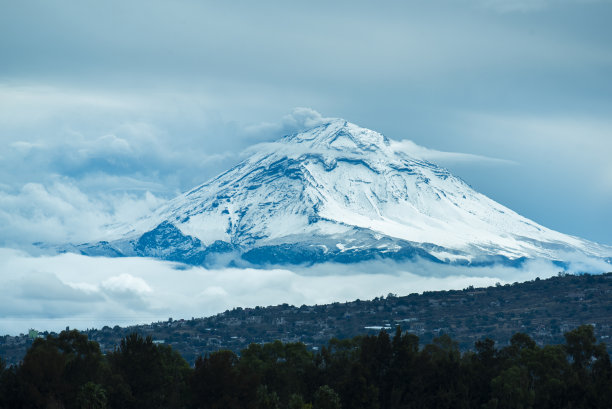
338, 192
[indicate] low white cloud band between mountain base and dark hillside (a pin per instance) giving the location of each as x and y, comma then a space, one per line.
52, 292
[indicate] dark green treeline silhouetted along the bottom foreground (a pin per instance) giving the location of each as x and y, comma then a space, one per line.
383, 371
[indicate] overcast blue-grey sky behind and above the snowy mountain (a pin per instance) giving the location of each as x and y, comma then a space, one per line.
107, 109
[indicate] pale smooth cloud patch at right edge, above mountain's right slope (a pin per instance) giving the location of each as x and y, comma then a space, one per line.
553, 142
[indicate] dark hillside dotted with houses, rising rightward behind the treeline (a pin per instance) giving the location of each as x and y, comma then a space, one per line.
544, 309
